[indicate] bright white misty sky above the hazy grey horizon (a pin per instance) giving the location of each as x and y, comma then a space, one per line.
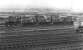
75, 5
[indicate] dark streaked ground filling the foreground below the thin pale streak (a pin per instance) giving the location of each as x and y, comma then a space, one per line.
57, 39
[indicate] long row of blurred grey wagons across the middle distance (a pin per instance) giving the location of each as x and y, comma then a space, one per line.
36, 19
